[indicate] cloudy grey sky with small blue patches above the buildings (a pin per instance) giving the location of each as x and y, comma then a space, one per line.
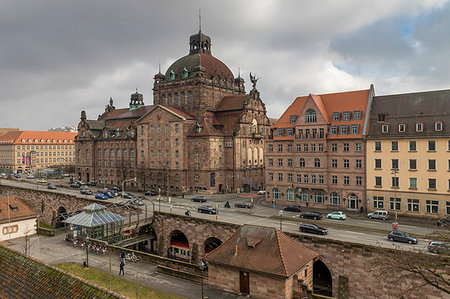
60, 57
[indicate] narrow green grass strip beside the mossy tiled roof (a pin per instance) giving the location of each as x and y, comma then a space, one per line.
118, 284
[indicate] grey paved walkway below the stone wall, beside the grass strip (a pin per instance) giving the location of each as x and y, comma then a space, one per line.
54, 250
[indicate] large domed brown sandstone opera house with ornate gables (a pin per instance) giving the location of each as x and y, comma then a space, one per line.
202, 131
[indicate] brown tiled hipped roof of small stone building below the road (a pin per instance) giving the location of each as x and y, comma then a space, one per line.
262, 249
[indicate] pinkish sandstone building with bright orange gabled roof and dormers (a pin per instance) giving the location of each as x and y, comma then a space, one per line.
315, 155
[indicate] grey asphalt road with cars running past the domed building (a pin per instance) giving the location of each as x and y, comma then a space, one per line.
356, 228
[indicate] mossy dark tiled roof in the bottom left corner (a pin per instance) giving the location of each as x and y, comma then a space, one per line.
23, 277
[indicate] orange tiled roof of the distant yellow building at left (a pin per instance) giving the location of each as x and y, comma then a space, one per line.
37, 137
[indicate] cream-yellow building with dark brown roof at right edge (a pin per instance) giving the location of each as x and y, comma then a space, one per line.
408, 154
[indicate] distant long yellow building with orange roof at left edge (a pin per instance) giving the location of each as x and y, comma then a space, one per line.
22, 151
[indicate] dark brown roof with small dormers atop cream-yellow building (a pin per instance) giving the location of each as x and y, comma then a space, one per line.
427, 107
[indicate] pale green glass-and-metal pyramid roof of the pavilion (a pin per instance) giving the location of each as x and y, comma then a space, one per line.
94, 215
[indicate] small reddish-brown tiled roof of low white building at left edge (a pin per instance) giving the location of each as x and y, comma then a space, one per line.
16, 211
